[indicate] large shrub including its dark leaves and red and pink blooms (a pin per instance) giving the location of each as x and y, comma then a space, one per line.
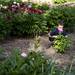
22, 20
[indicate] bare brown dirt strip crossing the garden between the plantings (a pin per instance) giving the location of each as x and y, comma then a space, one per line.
24, 44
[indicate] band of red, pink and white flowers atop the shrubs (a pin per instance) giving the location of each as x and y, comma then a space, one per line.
15, 7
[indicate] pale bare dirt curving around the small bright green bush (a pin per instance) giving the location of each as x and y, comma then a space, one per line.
61, 59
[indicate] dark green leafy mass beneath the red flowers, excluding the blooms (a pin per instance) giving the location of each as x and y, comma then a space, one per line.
21, 24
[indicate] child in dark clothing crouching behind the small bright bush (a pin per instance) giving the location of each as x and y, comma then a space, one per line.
57, 31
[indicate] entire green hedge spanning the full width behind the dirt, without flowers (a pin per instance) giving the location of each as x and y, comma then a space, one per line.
26, 24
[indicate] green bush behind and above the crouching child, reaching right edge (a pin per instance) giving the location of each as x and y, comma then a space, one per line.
61, 13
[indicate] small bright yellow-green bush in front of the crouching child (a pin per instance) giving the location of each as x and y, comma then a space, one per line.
61, 43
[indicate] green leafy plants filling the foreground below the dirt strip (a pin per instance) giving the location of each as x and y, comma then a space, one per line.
35, 63
